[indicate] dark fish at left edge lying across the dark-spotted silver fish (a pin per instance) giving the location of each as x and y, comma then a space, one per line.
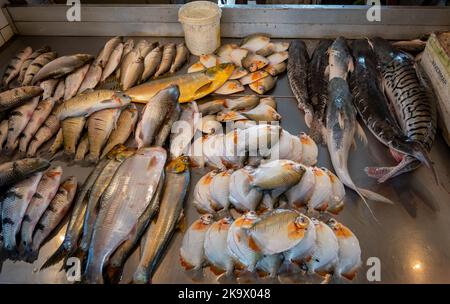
15, 171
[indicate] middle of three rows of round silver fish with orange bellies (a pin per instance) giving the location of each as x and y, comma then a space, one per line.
278, 182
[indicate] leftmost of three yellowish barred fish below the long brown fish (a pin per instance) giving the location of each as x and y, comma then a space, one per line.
72, 129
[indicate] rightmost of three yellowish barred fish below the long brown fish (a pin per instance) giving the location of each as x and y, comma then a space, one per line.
125, 126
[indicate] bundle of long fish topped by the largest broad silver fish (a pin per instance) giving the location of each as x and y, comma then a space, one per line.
130, 197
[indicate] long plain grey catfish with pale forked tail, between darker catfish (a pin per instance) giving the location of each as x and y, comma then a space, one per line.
341, 118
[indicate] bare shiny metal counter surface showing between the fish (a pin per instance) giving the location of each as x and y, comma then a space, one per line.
411, 240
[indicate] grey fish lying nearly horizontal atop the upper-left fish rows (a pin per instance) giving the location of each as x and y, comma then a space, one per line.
62, 66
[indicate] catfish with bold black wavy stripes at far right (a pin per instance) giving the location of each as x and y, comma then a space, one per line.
412, 103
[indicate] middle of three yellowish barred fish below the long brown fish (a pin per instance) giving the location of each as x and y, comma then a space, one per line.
100, 125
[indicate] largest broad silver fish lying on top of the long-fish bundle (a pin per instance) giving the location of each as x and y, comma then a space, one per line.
124, 201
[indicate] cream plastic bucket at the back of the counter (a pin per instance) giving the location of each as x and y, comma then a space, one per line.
201, 25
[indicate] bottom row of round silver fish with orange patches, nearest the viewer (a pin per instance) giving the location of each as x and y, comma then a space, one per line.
276, 242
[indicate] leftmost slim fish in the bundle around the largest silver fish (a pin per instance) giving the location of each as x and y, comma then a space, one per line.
74, 227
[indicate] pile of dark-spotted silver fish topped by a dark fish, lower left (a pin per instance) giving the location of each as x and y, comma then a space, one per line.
33, 207
